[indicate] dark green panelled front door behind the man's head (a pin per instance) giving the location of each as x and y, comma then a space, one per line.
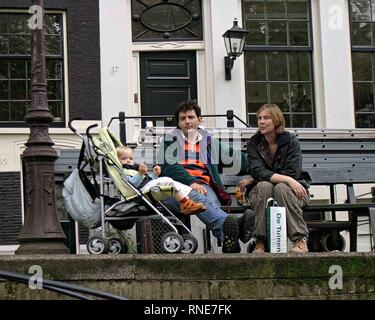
167, 78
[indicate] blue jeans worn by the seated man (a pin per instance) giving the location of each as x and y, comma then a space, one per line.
213, 217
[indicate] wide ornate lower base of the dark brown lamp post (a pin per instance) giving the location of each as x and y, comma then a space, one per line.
41, 232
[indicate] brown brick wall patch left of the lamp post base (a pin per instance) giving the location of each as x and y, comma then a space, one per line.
10, 207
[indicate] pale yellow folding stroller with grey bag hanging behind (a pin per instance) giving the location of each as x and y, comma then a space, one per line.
115, 201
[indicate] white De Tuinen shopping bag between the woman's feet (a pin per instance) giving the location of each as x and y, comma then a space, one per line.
276, 227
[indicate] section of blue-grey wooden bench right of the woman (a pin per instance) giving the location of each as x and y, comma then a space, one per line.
345, 158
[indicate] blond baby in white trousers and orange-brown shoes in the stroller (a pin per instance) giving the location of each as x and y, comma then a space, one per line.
138, 177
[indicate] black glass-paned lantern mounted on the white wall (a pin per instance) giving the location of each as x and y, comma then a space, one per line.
234, 40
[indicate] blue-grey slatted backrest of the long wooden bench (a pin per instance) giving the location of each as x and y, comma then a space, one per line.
330, 156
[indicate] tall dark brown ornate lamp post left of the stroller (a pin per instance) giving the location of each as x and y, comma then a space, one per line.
41, 232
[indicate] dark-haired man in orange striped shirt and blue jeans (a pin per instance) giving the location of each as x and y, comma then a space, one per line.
190, 155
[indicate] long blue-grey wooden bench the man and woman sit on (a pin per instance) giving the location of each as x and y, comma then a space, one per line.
338, 159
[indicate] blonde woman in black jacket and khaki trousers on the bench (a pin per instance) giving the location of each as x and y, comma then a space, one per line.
276, 167
